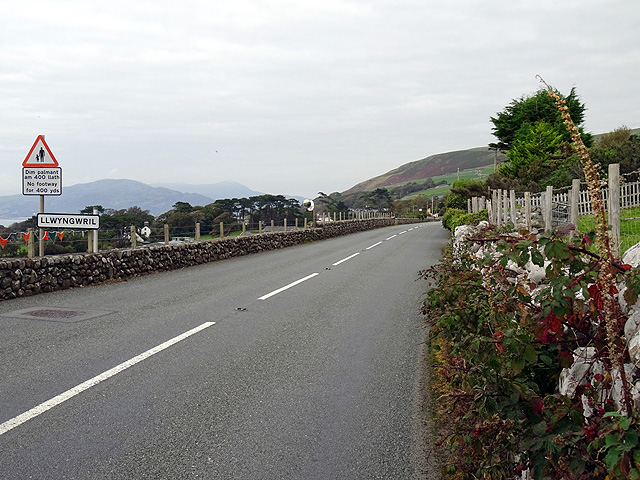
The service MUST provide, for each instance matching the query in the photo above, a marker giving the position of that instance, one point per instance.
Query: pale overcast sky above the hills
(293, 97)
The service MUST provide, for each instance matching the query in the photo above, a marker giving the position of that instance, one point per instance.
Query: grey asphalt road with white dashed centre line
(296, 364)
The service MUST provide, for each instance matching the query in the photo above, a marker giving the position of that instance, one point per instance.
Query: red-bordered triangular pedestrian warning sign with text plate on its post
(42, 176)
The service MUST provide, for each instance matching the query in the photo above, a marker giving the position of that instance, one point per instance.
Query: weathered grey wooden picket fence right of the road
(550, 209)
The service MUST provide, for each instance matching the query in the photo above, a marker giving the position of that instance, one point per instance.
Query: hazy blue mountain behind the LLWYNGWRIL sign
(116, 194)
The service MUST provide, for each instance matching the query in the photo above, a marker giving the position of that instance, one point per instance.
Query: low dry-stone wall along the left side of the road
(22, 277)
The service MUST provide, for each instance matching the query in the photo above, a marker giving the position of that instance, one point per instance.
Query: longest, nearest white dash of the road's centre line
(63, 397)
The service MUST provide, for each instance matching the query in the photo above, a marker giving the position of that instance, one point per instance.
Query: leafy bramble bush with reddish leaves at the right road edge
(499, 349)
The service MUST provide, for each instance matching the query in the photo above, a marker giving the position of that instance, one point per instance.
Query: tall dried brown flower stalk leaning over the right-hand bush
(610, 312)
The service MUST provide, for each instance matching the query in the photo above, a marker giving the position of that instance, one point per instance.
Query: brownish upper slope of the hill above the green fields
(439, 164)
